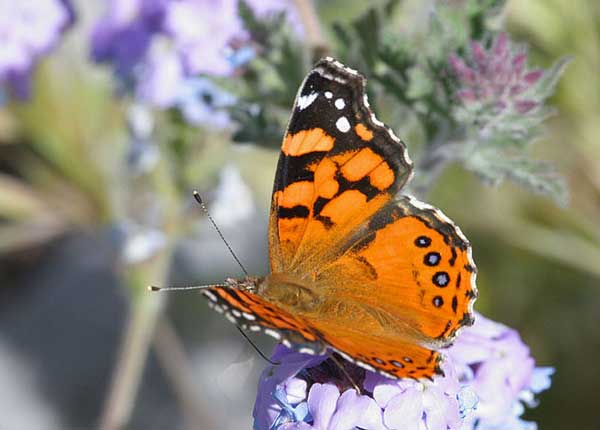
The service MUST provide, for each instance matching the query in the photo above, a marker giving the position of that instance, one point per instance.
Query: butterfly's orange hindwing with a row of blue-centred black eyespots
(408, 284)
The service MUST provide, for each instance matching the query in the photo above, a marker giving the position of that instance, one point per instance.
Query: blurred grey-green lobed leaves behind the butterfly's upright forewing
(409, 73)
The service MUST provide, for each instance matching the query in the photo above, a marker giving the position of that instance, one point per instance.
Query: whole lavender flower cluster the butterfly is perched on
(489, 378)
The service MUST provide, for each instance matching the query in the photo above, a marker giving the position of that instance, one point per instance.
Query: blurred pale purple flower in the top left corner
(29, 30)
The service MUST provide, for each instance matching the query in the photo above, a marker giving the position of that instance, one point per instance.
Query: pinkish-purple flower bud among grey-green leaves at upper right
(496, 79)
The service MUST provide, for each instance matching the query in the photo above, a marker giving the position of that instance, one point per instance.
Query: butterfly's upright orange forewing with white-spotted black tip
(338, 166)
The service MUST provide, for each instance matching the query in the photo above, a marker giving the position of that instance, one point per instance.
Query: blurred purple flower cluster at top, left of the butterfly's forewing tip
(157, 46)
